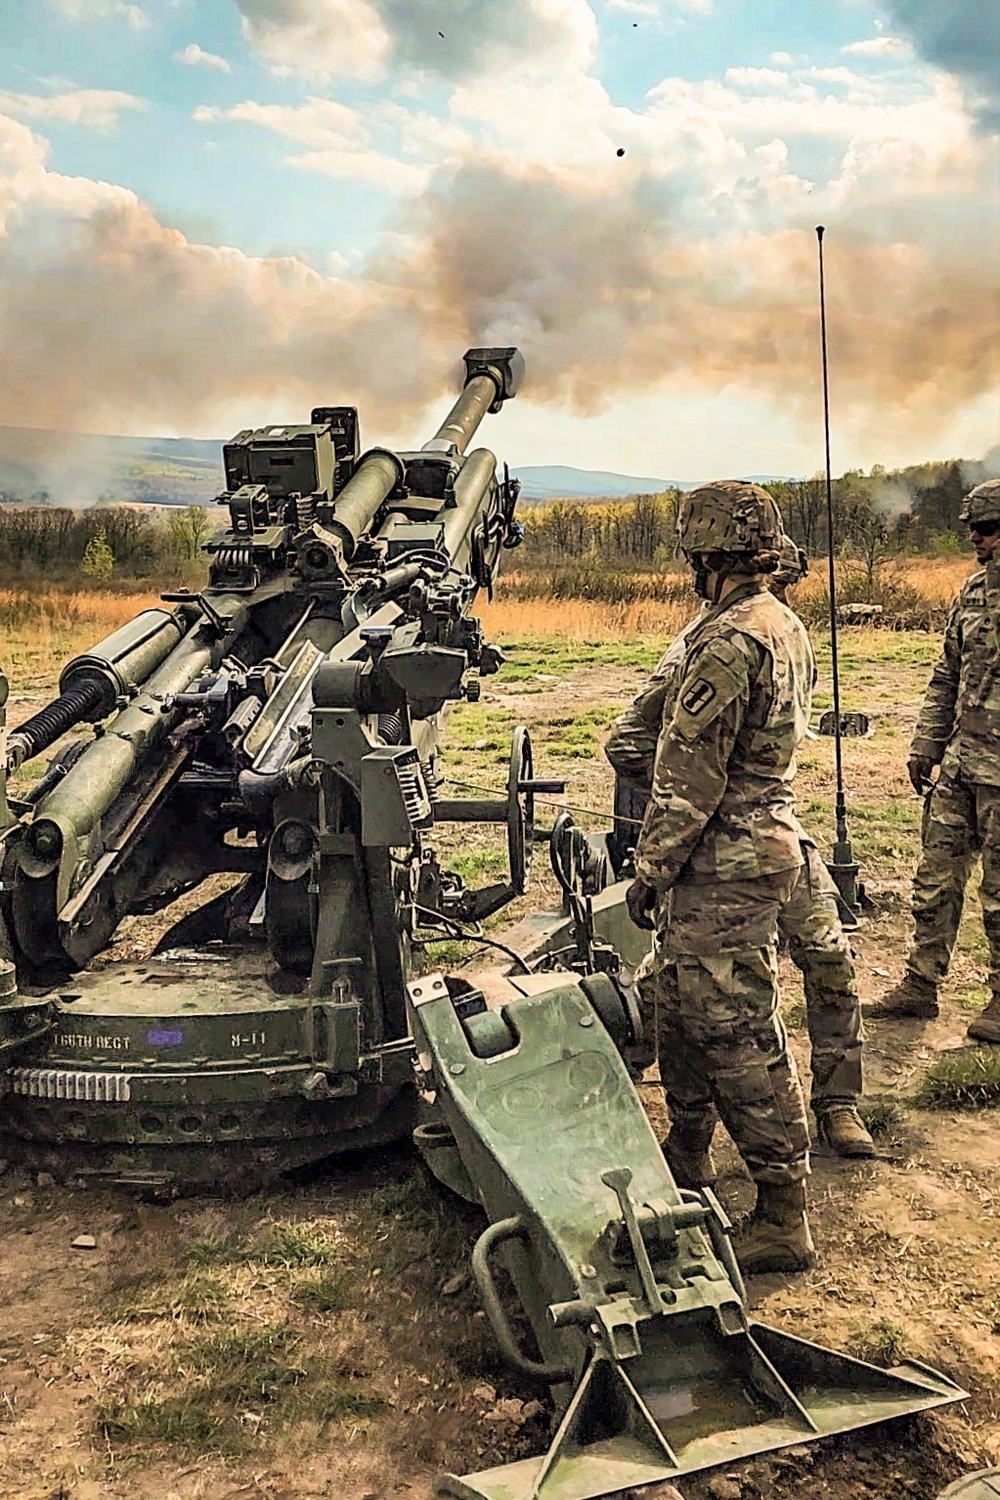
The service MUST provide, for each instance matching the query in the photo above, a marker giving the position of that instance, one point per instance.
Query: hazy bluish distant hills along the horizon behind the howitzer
(73, 469)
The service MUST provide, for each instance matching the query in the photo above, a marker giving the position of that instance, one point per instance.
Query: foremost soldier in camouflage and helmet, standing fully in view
(719, 857)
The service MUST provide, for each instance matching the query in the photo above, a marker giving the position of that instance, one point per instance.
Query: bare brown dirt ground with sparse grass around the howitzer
(323, 1339)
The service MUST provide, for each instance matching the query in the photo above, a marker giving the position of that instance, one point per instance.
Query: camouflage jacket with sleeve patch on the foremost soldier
(714, 734)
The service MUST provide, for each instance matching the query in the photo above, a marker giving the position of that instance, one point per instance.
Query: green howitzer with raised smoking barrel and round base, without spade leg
(281, 730)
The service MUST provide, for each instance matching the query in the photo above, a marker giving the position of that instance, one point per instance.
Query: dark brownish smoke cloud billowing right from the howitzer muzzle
(609, 302)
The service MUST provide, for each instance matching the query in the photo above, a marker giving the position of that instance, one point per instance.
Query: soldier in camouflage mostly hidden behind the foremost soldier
(810, 922)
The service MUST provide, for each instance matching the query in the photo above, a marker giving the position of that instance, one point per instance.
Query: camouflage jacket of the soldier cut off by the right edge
(960, 721)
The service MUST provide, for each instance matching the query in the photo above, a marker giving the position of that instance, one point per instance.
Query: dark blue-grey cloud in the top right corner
(963, 37)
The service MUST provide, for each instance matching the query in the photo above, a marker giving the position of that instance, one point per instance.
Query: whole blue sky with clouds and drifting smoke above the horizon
(218, 212)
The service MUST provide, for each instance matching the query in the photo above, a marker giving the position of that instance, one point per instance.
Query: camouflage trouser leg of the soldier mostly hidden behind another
(819, 947)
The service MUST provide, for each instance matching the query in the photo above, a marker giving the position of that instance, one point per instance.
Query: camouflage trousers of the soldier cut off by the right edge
(962, 821)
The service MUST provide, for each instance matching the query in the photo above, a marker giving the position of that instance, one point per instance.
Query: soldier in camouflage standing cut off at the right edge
(959, 731)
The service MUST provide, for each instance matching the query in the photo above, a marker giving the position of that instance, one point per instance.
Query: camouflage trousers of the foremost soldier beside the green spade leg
(722, 1045)
